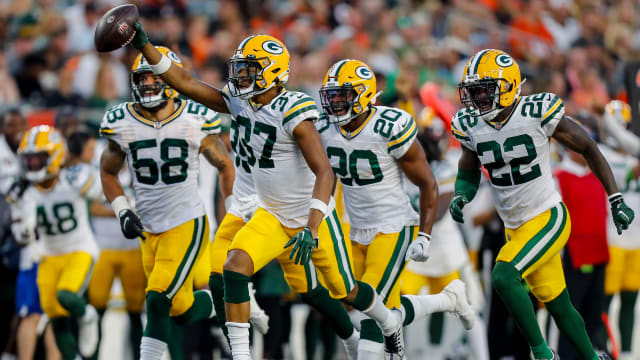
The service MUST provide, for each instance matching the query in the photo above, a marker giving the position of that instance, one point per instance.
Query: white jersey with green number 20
(365, 161)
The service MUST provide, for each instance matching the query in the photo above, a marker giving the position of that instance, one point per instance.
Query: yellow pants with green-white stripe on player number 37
(263, 239)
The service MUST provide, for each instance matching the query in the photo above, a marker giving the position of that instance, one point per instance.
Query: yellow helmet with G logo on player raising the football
(259, 63)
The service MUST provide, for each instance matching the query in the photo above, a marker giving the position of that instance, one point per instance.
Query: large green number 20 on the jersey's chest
(348, 165)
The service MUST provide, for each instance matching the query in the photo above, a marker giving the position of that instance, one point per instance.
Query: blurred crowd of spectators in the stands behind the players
(585, 51)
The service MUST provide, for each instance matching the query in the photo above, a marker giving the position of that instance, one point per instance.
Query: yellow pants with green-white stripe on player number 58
(168, 260)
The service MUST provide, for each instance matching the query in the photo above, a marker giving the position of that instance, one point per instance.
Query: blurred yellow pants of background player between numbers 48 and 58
(127, 266)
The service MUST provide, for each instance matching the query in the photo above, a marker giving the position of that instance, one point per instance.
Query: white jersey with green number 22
(516, 155)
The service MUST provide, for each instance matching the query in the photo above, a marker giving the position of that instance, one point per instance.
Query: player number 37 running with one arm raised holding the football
(278, 143)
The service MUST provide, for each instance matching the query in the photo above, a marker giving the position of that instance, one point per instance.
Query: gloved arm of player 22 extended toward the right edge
(571, 134)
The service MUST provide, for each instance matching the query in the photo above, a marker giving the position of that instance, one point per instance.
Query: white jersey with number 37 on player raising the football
(263, 142)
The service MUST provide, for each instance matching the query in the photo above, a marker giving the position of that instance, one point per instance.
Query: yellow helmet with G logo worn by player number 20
(348, 89)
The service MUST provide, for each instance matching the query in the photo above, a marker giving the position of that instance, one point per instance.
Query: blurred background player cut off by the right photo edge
(623, 272)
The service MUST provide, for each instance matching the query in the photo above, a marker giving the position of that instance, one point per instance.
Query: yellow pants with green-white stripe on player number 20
(380, 263)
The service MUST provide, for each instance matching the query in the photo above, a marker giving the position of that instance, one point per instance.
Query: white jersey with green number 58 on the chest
(163, 160)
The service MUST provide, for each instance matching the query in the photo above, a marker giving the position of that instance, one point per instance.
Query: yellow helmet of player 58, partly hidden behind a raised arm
(153, 95)
